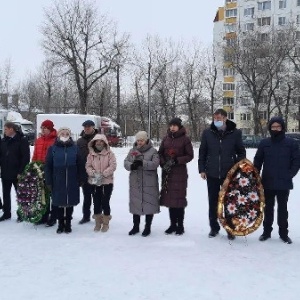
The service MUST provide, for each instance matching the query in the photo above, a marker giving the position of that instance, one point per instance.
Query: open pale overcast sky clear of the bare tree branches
(179, 19)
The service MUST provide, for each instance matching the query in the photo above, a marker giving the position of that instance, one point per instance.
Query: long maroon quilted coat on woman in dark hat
(175, 145)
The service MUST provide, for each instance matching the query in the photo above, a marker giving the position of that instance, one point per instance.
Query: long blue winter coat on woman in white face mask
(64, 171)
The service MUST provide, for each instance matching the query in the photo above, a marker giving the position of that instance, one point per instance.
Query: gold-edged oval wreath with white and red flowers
(241, 200)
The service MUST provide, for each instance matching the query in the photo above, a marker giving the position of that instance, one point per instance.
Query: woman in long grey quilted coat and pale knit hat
(142, 161)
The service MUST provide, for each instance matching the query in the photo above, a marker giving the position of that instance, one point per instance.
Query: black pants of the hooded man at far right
(282, 212)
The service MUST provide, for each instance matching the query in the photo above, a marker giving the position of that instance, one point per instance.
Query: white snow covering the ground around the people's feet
(37, 263)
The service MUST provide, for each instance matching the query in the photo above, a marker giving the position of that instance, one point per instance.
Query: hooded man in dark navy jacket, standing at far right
(280, 158)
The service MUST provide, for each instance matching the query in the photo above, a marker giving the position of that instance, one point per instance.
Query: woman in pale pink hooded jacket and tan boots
(100, 167)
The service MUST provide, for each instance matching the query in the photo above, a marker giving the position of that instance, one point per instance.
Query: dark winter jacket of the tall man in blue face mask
(219, 150)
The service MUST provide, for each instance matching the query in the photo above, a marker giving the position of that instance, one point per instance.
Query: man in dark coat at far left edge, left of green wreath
(14, 156)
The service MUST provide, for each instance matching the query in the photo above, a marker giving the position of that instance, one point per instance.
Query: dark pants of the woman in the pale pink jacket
(101, 197)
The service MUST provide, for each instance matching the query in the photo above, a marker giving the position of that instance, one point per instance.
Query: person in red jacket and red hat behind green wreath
(41, 145)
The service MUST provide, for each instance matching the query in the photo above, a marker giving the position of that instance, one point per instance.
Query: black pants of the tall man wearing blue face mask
(213, 188)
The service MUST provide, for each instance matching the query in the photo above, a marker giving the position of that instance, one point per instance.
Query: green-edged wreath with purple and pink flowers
(32, 195)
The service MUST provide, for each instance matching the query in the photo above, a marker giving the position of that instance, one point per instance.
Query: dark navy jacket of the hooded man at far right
(280, 161)
